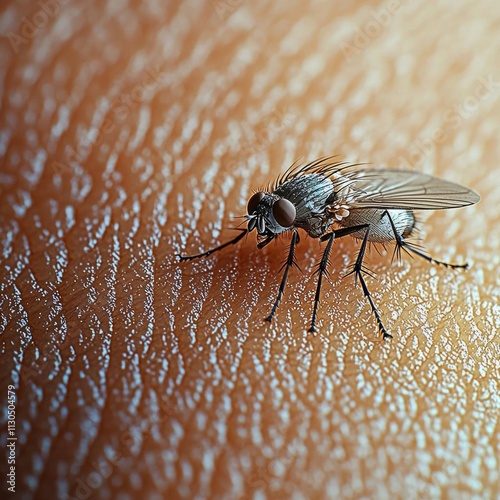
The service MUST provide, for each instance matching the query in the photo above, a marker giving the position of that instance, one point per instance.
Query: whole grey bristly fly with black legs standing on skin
(329, 200)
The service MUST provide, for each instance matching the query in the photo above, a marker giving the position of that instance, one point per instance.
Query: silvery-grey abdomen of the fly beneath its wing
(381, 230)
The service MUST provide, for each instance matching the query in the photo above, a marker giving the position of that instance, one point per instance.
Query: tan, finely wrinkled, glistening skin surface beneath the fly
(136, 374)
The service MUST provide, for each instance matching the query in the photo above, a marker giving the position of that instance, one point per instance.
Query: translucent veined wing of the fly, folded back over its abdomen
(400, 189)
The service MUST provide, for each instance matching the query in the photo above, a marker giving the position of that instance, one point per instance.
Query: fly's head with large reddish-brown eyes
(270, 214)
